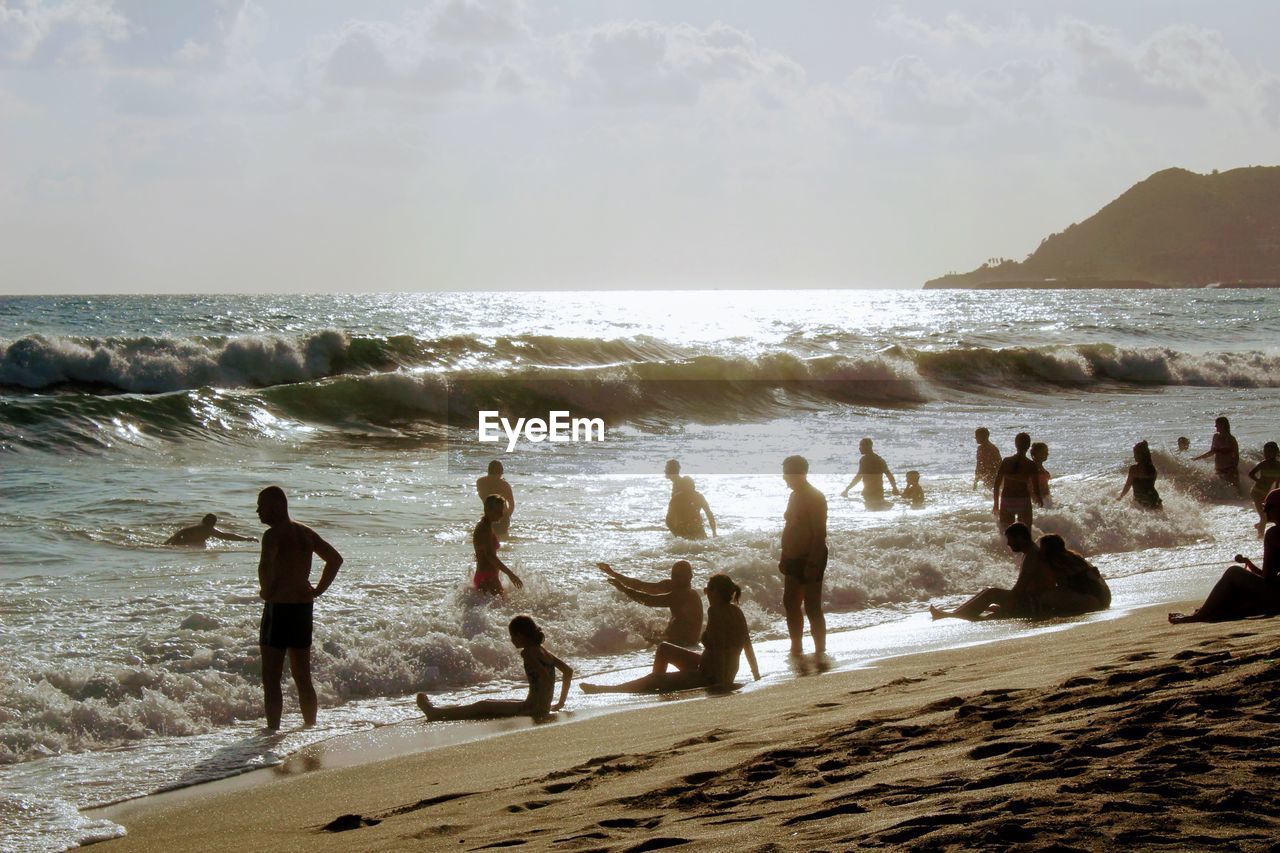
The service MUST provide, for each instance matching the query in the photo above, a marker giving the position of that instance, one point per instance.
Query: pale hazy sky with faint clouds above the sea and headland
(149, 147)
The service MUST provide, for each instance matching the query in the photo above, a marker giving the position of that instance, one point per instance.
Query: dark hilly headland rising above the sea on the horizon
(1177, 229)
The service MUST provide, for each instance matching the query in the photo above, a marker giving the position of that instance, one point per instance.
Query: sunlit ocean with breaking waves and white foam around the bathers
(132, 668)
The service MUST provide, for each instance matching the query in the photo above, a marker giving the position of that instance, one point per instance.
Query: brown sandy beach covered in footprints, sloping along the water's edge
(1118, 733)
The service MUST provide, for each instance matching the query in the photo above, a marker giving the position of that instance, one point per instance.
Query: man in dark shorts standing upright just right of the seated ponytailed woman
(804, 556)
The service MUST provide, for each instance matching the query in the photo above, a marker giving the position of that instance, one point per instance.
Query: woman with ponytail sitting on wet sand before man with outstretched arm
(725, 641)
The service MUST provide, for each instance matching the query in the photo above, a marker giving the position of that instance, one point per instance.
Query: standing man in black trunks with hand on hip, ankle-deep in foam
(285, 580)
